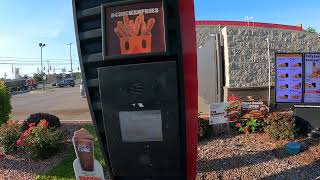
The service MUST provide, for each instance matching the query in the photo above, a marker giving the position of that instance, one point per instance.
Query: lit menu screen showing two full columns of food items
(289, 78)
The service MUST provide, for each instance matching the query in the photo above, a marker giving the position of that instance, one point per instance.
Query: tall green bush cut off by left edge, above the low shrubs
(5, 106)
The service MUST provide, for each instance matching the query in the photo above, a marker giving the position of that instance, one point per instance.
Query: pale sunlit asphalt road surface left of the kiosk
(65, 103)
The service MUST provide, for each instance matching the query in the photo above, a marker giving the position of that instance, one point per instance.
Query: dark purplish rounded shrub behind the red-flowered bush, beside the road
(54, 121)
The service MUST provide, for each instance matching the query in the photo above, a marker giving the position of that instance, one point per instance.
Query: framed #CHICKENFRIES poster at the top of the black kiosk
(134, 29)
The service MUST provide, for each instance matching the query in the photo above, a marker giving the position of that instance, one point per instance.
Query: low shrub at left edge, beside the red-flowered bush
(9, 133)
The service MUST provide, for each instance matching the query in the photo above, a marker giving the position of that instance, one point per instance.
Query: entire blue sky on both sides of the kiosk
(25, 23)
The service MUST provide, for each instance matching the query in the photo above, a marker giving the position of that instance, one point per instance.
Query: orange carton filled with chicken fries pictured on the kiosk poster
(135, 35)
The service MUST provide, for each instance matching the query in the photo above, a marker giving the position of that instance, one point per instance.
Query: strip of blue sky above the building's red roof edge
(290, 12)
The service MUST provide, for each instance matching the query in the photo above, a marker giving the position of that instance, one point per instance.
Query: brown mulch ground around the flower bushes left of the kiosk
(16, 166)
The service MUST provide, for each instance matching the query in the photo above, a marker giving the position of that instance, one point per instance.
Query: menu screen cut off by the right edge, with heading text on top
(312, 78)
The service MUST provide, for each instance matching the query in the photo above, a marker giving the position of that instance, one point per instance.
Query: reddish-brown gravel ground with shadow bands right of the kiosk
(255, 156)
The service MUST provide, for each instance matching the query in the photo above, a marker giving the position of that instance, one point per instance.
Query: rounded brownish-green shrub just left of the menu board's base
(280, 125)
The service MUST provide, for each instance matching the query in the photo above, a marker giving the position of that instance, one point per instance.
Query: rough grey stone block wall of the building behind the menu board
(246, 52)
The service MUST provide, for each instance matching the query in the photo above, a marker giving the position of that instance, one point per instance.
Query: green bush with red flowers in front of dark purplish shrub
(43, 142)
